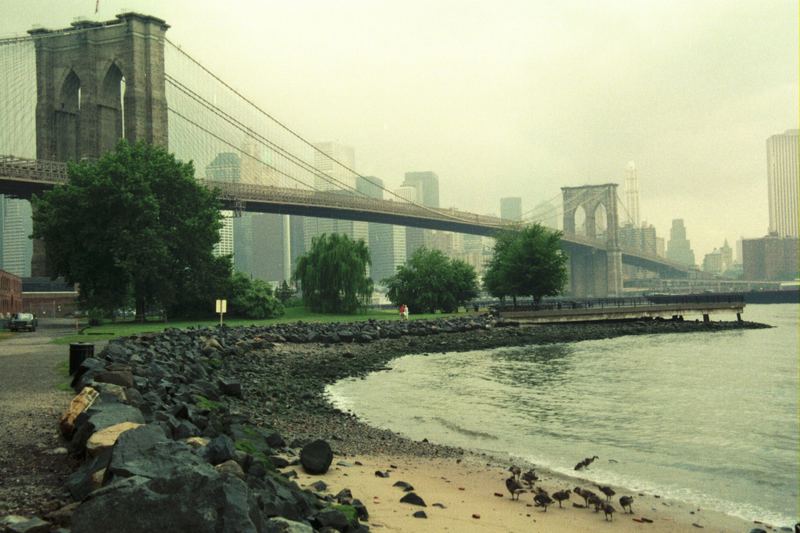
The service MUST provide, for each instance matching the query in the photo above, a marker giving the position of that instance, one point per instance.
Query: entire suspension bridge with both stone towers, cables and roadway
(73, 93)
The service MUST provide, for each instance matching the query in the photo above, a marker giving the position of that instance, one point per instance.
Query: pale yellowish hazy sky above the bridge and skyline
(513, 98)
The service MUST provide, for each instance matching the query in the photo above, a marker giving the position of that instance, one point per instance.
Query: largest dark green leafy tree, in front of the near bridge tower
(133, 225)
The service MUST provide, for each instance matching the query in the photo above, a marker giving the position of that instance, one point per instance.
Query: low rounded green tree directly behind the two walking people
(430, 282)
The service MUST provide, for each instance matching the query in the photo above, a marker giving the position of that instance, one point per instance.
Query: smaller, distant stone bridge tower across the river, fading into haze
(592, 271)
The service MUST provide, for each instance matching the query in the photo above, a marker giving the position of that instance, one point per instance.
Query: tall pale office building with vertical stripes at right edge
(782, 183)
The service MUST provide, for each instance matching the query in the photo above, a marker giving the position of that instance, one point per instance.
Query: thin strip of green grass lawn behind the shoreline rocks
(111, 330)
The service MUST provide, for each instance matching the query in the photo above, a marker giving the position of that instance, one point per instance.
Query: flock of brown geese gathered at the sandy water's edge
(541, 498)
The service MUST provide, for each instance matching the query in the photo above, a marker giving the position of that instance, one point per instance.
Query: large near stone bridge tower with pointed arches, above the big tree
(98, 82)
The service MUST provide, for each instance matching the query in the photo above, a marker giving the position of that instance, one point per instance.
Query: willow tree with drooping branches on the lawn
(333, 274)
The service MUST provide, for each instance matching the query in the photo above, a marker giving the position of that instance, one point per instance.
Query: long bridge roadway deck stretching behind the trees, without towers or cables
(22, 178)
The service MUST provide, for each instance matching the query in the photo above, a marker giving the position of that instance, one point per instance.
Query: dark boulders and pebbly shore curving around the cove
(201, 429)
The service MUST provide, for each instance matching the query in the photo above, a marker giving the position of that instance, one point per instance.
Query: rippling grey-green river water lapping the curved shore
(707, 418)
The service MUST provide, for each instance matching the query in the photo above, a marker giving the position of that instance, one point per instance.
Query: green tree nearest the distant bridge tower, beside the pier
(526, 262)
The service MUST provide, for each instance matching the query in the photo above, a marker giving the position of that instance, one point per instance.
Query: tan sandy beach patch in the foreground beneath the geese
(474, 498)
